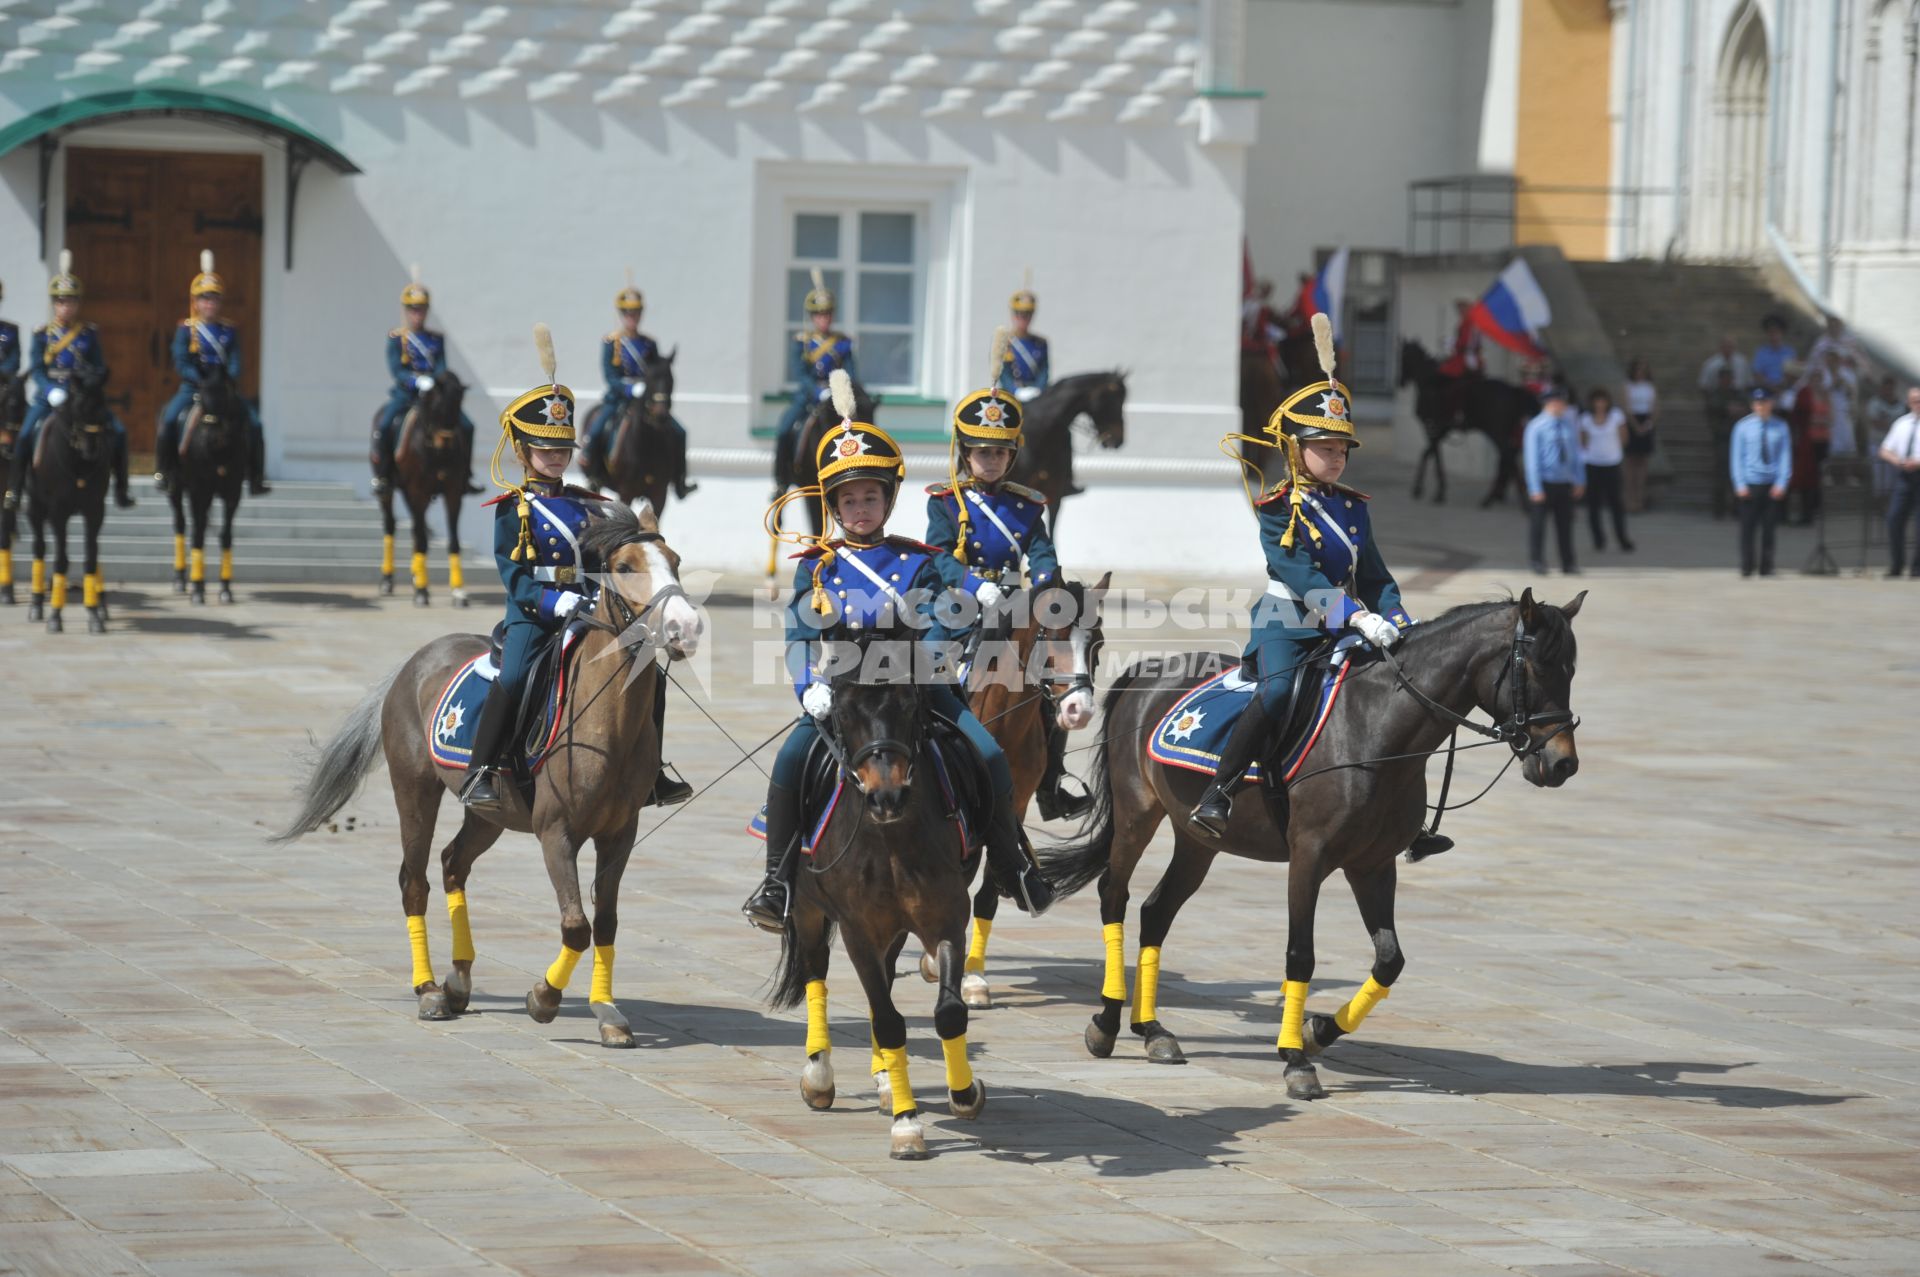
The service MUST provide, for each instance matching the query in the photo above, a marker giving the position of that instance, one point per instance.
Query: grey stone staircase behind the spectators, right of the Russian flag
(1673, 316)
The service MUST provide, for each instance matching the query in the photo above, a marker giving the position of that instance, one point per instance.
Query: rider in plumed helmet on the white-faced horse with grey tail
(537, 544)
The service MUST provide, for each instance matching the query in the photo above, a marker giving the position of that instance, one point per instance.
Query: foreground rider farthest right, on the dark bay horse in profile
(1324, 577)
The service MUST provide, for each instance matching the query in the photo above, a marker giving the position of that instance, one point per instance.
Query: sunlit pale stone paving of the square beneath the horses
(1654, 1023)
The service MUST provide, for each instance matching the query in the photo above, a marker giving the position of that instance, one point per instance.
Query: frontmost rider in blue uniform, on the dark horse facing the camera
(861, 581)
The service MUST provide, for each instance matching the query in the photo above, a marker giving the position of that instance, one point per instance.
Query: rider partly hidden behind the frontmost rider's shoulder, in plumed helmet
(992, 529)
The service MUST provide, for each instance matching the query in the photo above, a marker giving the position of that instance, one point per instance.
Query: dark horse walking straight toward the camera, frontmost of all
(886, 867)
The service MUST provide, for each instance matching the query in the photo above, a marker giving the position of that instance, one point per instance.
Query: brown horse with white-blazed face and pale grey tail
(590, 786)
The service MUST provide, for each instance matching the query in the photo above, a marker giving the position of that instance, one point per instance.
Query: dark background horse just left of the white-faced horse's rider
(431, 460)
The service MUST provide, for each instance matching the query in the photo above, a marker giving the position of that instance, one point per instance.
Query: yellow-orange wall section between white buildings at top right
(1564, 135)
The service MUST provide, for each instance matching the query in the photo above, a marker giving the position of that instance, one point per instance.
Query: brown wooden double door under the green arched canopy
(135, 224)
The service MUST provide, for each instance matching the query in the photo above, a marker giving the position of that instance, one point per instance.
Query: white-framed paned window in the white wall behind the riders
(875, 258)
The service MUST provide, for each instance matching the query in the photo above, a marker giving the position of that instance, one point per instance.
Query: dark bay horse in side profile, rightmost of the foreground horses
(1355, 809)
